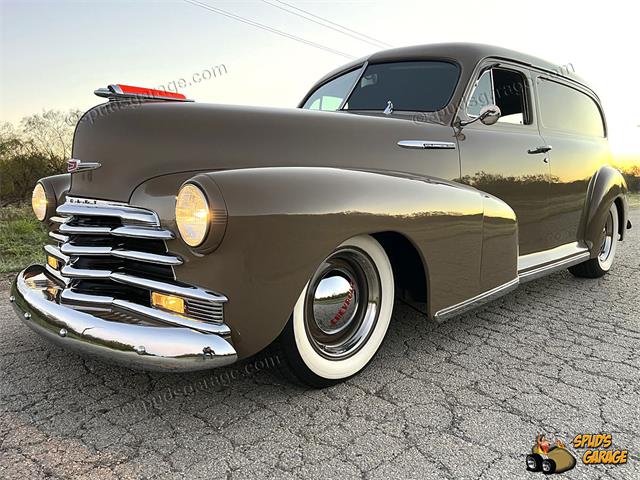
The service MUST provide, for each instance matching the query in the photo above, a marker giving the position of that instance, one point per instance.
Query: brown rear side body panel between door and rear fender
(572, 122)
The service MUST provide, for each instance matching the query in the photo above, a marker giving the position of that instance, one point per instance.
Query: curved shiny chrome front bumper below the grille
(148, 347)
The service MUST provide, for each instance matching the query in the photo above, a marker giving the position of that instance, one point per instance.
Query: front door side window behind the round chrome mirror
(506, 89)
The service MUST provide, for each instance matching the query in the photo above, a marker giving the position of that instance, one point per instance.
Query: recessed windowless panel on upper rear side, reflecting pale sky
(569, 110)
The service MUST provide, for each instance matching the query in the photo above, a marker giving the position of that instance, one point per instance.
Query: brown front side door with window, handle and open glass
(509, 158)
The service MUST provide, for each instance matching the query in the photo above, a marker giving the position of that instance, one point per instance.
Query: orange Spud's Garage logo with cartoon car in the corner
(549, 459)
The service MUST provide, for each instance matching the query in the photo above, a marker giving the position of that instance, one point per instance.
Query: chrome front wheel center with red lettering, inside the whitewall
(342, 303)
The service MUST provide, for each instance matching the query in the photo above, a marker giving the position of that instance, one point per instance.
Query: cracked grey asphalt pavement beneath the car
(464, 399)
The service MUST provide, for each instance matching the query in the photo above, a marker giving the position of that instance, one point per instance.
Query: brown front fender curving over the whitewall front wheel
(283, 222)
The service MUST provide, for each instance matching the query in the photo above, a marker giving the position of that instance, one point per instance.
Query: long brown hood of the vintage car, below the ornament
(133, 142)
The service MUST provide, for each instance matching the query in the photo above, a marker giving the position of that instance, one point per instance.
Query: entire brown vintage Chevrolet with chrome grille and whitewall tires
(188, 236)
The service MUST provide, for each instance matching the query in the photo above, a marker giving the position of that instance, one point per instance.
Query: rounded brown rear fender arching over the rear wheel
(606, 186)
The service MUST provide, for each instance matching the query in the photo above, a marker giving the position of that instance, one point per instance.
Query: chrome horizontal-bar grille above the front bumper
(112, 256)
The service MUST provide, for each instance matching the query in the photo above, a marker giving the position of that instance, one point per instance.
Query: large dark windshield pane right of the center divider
(410, 86)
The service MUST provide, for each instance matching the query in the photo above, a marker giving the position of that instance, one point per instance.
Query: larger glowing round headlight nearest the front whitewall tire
(193, 216)
